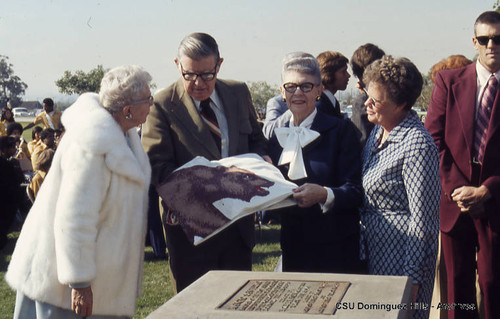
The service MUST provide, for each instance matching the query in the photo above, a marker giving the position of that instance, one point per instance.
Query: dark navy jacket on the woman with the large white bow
(332, 160)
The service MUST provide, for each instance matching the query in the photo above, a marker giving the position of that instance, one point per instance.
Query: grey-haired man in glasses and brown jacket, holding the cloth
(200, 115)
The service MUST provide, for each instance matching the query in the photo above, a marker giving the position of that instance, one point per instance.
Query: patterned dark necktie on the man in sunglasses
(483, 118)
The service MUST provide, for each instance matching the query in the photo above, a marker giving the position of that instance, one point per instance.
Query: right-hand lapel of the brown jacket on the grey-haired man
(230, 105)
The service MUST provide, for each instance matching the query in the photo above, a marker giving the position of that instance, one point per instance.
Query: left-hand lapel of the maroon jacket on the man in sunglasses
(465, 99)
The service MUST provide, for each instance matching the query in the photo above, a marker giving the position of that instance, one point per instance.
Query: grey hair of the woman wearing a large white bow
(301, 62)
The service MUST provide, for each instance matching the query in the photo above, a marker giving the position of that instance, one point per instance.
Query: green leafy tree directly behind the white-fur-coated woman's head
(81, 82)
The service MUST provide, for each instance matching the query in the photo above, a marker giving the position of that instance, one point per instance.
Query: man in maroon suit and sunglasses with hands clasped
(464, 120)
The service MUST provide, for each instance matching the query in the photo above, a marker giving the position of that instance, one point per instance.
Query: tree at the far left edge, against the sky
(11, 86)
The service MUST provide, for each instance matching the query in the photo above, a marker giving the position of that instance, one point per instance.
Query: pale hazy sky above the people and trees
(44, 38)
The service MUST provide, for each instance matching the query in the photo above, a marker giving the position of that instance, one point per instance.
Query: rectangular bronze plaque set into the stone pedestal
(293, 296)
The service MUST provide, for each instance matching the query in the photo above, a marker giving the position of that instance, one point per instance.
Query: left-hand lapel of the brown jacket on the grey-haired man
(182, 107)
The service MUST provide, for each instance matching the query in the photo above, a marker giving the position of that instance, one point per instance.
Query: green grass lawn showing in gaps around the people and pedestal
(157, 288)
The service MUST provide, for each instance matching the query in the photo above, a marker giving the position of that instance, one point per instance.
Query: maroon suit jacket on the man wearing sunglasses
(451, 122)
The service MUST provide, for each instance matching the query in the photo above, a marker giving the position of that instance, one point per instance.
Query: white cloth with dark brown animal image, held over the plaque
(205, 197)
